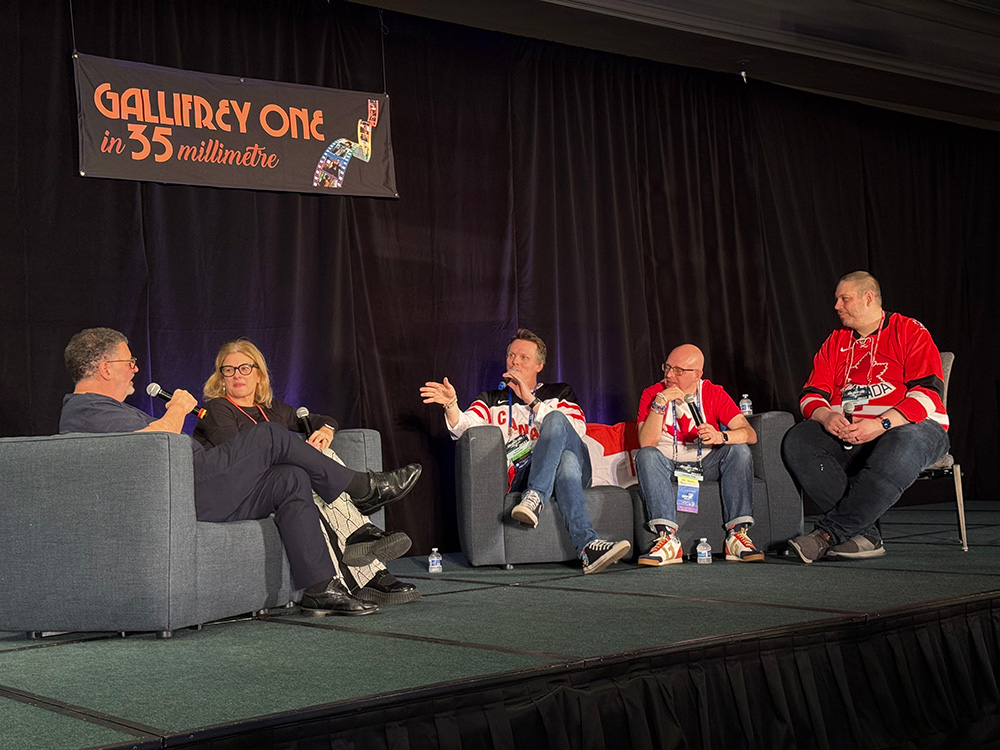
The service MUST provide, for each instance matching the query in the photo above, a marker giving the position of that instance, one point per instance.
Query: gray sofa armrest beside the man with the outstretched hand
(481, 486)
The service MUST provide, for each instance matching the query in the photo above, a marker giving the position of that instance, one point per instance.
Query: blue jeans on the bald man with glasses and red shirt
(730, 465)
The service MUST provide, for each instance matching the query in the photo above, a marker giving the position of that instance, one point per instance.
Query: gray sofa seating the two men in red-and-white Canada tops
(489, 536)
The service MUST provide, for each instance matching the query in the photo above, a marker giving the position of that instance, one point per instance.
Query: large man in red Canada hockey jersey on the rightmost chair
(873, 410)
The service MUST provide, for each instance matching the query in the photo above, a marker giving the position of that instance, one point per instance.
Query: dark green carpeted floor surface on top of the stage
(90, 690)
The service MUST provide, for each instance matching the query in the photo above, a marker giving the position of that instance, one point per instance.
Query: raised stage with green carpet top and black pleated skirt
(899, 651)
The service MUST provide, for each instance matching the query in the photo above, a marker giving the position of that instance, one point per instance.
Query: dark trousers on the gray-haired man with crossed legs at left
(265, 470)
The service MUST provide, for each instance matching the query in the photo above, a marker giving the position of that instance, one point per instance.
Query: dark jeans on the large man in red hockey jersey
(883, 468)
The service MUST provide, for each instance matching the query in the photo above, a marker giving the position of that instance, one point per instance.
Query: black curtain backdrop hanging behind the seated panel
(615, 206)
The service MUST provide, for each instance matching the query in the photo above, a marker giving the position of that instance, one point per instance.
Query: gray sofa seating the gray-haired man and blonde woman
(98, 533)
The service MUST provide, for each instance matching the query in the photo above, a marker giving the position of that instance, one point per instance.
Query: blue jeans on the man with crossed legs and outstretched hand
(560, 462)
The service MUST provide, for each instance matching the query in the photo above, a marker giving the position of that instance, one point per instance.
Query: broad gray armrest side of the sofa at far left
(92, 524)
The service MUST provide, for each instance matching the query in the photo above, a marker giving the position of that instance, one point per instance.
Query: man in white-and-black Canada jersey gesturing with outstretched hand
(545, 422)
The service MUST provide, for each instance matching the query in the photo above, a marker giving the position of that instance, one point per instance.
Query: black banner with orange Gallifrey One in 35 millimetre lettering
(145, 122)
